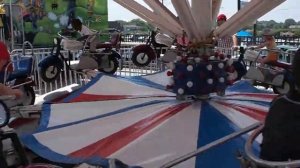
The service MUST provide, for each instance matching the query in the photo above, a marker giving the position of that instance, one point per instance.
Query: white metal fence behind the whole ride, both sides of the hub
(127, 68)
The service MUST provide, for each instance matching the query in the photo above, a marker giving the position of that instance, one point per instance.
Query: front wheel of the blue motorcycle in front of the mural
(49, 73)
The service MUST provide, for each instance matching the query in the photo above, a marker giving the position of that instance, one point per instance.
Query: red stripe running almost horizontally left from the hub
(91, 97)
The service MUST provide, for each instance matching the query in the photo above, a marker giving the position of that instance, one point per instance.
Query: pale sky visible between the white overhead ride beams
(288, 9)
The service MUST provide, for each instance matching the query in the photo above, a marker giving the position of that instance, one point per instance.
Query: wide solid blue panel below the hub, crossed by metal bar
(213, 125)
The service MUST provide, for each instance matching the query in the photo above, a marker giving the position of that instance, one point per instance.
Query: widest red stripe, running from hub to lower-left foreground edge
(109, 145)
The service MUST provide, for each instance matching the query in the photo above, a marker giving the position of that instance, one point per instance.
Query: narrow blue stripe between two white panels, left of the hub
(43, 128)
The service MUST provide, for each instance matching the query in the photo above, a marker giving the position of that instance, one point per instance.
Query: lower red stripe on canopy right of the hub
(252, 112)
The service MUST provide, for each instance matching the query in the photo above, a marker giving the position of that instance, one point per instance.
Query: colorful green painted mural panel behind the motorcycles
(42, 19)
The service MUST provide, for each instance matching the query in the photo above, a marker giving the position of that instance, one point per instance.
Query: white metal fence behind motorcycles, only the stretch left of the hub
(68, 77)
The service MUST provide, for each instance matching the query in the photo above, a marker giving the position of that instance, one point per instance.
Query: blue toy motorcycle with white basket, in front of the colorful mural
(105, 59)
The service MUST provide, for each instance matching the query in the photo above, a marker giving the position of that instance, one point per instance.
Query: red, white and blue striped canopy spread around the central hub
(140, 123)
